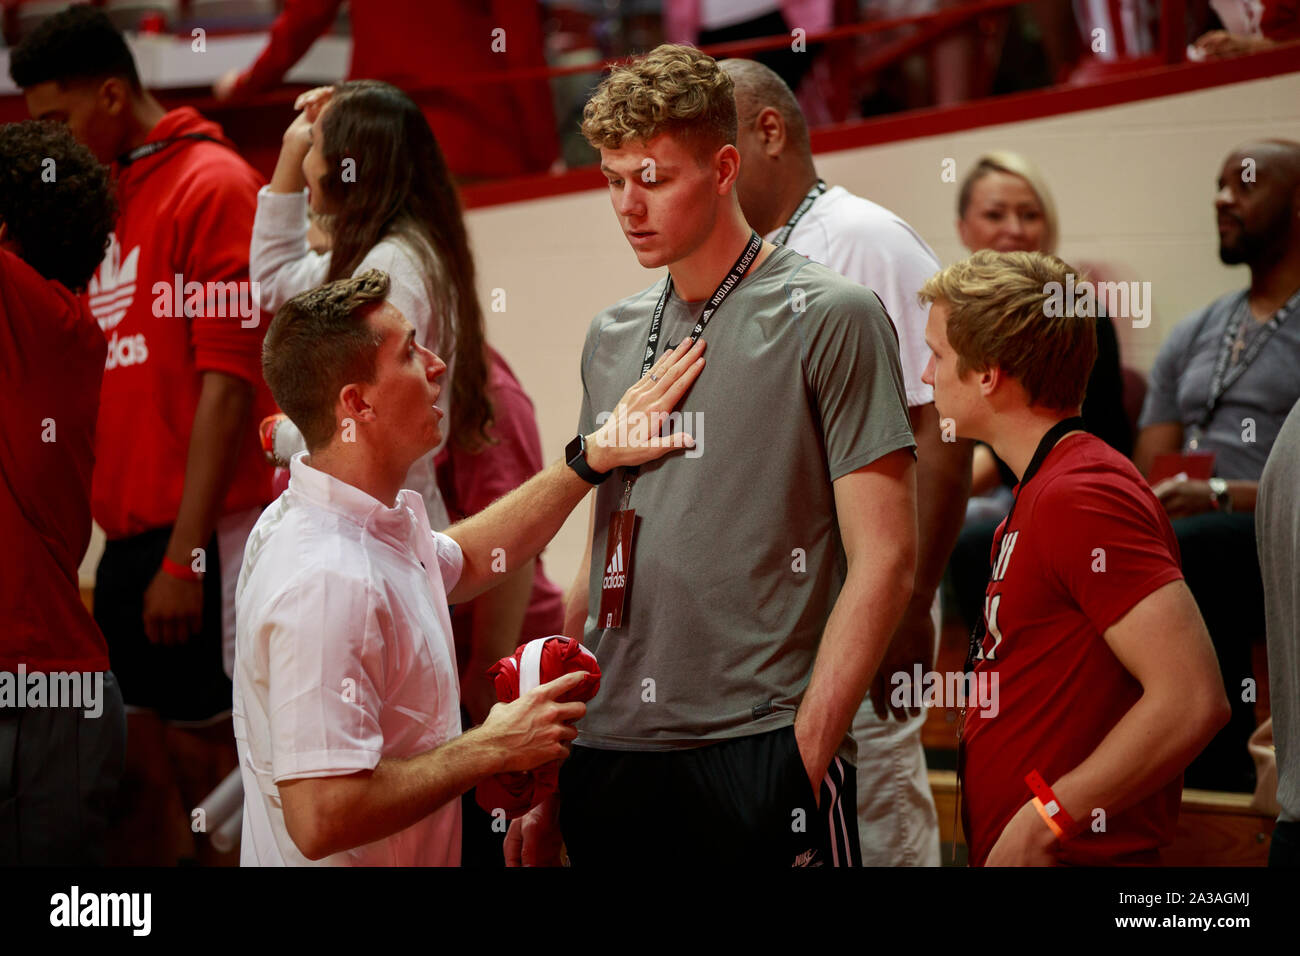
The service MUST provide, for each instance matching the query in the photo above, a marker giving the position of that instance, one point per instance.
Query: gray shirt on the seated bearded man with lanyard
(1181, 384)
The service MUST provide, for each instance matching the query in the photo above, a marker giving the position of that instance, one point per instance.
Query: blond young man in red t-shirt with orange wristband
(1104, 676)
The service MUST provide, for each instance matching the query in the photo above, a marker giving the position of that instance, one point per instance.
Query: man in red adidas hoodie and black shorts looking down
(180, 478)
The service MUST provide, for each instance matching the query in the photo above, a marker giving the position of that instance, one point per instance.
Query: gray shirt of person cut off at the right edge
(1277, 527)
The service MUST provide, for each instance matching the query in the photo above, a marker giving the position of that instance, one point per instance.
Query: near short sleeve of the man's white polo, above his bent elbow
(326, 678)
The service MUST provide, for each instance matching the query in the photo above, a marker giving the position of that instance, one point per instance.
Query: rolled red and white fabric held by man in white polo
(536, 663)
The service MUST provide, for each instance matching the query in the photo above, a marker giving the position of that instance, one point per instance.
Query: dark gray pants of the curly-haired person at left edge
(59, 776)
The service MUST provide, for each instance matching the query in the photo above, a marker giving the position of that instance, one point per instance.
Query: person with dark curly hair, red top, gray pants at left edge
(62, 725)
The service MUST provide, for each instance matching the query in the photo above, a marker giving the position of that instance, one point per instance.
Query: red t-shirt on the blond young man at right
(1087, 542)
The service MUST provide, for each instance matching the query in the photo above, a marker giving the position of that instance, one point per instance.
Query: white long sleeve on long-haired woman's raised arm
(280, 261)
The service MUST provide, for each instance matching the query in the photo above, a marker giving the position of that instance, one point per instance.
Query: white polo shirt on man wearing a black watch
(344, 657)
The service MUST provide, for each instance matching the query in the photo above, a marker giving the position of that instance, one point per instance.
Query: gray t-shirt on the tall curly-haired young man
(738, 557)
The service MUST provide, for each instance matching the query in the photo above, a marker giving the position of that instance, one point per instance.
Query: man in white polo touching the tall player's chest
(346, 704)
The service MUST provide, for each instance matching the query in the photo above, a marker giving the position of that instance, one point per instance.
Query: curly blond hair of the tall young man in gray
(673, 89)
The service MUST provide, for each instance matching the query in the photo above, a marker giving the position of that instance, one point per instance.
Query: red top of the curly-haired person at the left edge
(51, 361)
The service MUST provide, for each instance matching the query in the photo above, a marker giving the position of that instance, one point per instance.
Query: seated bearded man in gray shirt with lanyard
(1224, 382)
